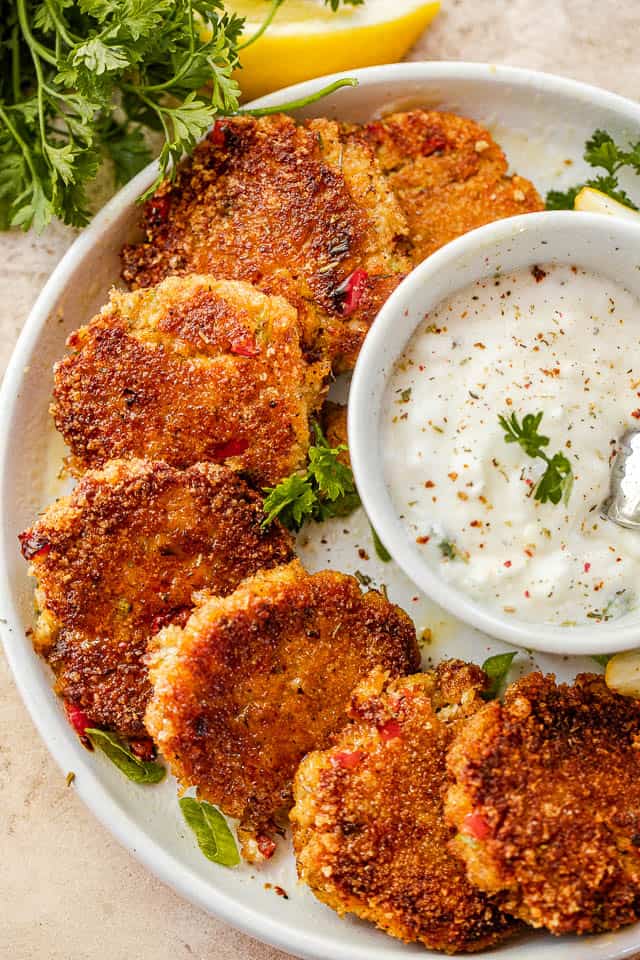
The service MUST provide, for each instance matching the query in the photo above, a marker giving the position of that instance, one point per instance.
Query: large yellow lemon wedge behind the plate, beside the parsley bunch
(307, 39)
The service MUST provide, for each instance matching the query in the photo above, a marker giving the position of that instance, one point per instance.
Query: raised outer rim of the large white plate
(46, 714)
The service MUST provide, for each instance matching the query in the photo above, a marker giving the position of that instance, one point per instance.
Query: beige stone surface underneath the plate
(68, 891)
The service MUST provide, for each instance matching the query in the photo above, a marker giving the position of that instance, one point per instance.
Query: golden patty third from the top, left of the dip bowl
(193, 369)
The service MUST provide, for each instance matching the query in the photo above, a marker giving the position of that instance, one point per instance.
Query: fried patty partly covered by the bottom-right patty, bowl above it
(369, 830)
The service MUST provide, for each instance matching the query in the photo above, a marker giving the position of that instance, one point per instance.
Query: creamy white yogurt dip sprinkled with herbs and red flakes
(555, 340)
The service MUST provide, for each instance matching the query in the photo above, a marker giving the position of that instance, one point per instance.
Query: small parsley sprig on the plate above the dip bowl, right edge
(601, 152)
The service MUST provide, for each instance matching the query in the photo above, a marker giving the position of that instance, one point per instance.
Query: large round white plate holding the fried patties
(542, 122)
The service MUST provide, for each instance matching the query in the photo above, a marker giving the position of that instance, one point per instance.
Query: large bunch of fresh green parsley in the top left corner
(87, 79)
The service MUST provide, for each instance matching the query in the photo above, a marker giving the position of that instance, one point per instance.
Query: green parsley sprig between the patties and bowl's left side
(325, 489)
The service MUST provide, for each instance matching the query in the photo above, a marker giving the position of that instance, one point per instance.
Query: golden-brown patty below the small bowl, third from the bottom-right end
(255, 680)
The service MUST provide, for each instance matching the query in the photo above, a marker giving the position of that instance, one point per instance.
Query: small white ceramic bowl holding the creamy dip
(607, 247)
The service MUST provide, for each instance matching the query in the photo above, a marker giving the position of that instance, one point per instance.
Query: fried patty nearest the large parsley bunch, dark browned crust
(291, 208)
